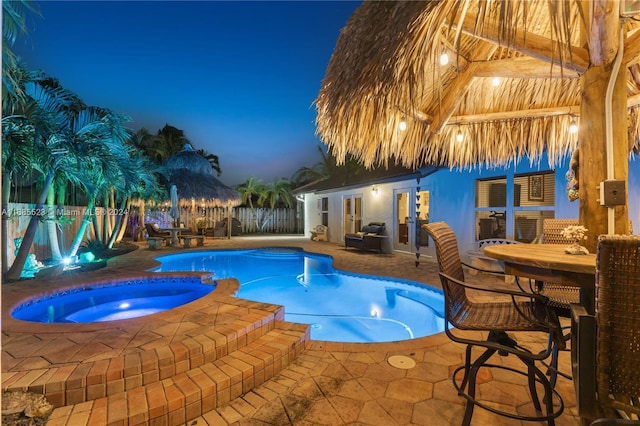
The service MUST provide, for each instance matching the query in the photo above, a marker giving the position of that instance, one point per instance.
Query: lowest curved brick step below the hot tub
(189, 394)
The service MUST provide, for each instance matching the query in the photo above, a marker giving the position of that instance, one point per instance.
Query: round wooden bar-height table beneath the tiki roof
(549, 262)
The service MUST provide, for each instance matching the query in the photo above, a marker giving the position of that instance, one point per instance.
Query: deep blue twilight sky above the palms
(239, 77)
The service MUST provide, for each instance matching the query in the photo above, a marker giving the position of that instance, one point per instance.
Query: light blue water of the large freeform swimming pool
(339, 306)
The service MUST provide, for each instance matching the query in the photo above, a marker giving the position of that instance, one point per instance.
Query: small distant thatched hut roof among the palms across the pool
(194, 179)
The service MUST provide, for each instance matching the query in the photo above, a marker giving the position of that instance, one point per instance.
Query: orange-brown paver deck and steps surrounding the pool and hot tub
(236, 373)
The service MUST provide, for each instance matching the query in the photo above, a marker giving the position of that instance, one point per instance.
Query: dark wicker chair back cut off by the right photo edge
(606, 346)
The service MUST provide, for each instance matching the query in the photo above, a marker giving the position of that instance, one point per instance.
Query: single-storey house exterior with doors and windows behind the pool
(508, 202)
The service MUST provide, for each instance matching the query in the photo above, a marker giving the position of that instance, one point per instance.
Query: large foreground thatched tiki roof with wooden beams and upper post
(552, 60)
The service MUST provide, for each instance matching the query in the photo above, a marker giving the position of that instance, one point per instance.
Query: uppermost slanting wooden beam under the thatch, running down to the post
(529, 44)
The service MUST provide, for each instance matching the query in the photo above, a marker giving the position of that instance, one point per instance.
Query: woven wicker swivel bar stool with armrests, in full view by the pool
(519, 311)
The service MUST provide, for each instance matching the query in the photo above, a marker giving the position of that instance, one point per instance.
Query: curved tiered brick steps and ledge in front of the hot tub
(167, 368)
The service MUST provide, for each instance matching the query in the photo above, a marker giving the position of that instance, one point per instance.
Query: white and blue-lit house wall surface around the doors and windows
(452, 199)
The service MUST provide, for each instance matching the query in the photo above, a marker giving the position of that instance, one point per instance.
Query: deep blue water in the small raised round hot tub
(114, 300)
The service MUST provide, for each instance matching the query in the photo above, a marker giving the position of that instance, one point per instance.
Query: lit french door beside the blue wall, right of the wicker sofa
(411, 210)
